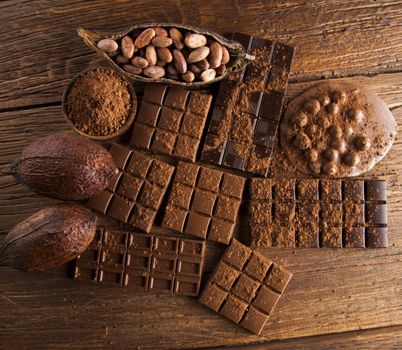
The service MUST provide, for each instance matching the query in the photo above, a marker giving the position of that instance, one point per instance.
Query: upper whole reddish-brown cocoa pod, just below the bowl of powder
(64, 166)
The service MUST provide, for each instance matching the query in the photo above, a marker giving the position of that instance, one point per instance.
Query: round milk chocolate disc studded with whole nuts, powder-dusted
(337, 130)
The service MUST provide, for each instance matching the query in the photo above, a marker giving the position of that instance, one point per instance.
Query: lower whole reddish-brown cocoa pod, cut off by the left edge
(49, 238)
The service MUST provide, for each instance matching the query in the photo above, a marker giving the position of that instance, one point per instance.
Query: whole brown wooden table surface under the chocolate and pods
(337, 299)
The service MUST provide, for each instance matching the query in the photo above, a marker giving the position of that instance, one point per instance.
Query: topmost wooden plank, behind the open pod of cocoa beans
(41, 52)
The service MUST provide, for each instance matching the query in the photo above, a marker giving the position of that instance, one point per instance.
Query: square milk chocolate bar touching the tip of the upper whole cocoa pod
(136, 192)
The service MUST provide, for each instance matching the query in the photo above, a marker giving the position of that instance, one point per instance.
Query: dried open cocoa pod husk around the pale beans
(238, 55)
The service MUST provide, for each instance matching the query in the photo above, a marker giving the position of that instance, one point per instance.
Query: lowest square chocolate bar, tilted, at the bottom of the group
(245, 287)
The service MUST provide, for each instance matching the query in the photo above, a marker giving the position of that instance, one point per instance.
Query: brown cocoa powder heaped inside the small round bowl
(99, 102)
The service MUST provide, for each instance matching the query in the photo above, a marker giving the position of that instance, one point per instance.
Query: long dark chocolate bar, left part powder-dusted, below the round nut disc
(318, 213)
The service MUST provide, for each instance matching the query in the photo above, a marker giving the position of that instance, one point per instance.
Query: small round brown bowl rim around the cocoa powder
(118, 132)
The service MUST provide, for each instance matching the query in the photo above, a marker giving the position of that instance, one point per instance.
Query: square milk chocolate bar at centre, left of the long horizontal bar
(204, 202)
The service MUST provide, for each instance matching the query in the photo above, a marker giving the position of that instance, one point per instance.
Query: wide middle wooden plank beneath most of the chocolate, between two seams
(332, 290)
